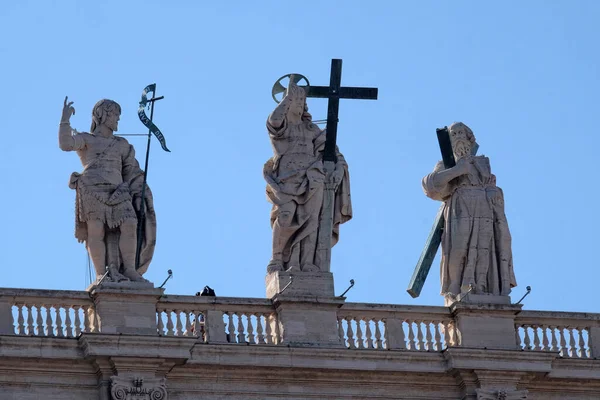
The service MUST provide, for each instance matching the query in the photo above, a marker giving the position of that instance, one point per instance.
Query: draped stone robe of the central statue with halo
(295, 175)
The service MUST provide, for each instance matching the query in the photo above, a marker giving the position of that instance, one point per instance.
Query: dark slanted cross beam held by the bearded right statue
(435, 235)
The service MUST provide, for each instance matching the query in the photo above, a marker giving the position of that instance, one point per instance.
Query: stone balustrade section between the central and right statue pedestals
(395, 327)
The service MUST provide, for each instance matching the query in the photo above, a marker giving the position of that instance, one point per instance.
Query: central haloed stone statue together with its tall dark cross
(307, 178)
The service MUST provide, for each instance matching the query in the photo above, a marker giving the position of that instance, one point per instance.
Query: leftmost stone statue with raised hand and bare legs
(108, 194)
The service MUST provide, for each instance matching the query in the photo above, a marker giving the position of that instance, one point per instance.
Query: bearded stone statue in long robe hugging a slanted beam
(476, 242)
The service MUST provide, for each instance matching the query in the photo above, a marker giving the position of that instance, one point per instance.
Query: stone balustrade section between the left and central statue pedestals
(232, 320)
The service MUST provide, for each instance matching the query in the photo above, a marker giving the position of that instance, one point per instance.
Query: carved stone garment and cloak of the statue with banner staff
(105, 189)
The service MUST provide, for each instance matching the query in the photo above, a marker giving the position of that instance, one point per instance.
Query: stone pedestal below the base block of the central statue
(307, 321)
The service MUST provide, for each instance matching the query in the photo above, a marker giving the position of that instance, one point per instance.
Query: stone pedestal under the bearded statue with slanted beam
(486, 325)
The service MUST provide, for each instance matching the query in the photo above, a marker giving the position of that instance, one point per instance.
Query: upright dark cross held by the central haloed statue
(334, 92)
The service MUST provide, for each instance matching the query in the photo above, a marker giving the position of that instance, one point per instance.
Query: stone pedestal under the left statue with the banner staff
(128, 308)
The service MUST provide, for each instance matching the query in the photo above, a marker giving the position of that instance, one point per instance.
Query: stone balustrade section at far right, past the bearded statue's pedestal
(572, 335)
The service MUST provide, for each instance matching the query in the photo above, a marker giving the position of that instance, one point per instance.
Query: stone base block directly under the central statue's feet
(318, 284)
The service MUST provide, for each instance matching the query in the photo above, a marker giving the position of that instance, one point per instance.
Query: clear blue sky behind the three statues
(522, 75)
